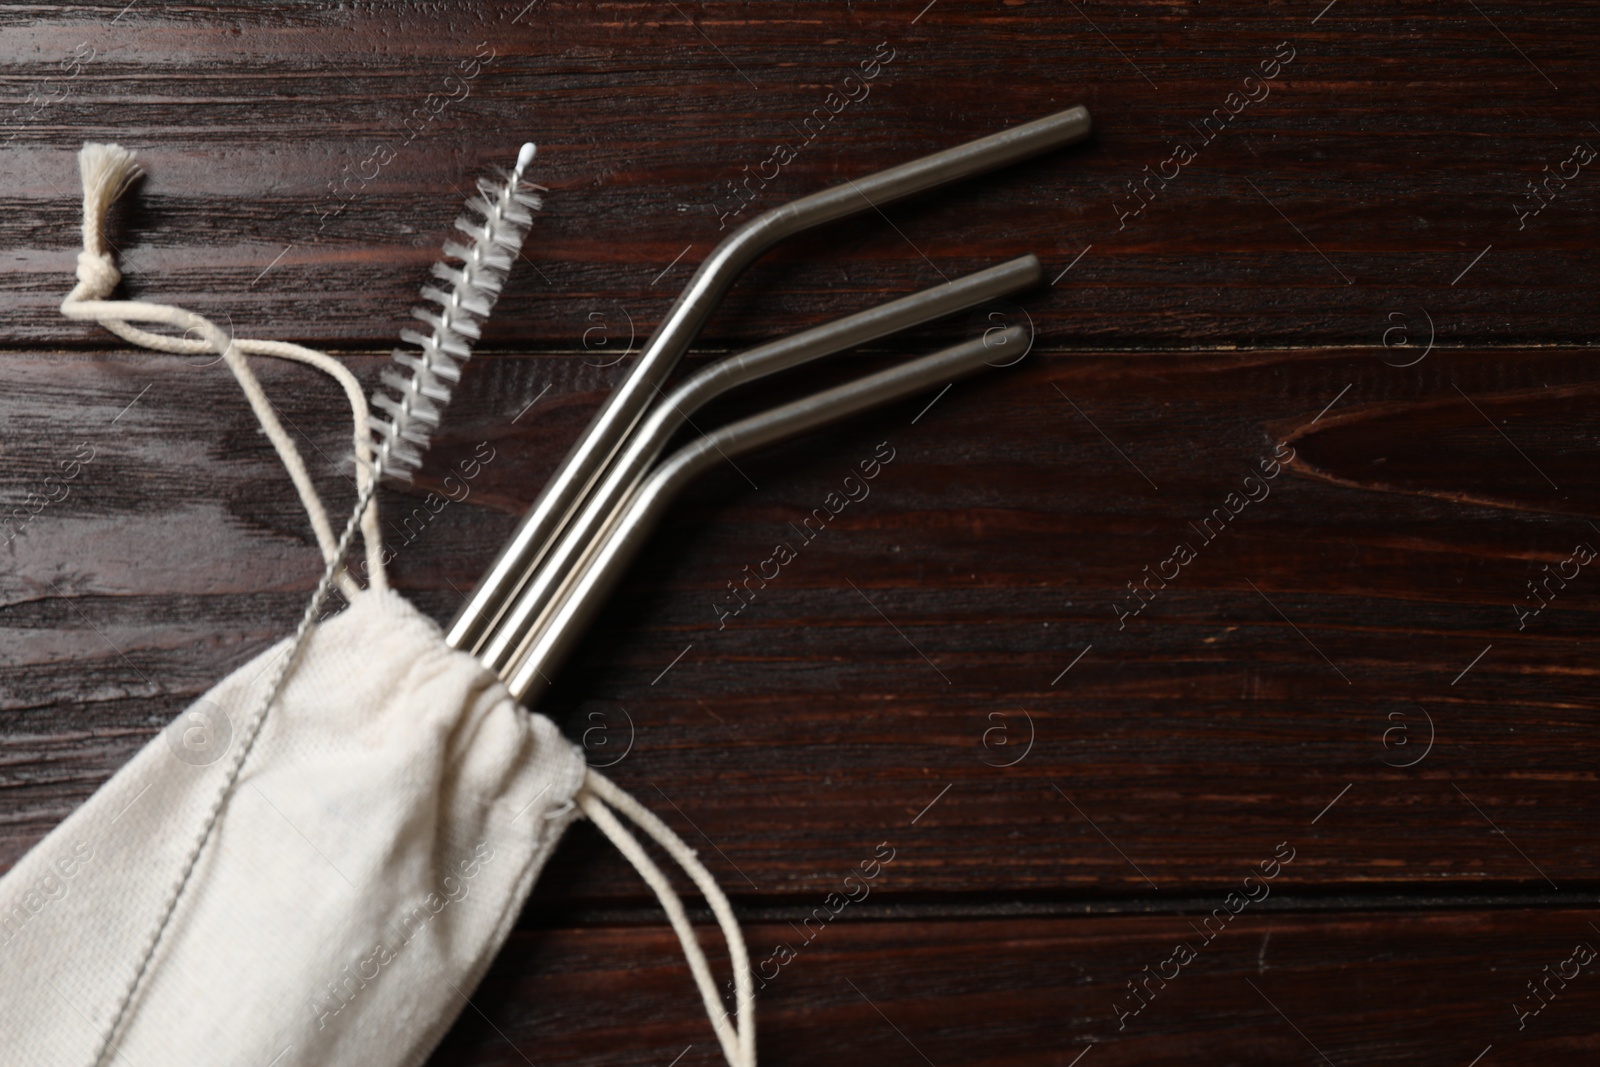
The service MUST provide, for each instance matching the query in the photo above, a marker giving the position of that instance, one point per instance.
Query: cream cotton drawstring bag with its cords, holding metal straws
(316, 863)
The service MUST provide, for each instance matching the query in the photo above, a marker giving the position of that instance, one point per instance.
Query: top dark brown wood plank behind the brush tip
(306, 161)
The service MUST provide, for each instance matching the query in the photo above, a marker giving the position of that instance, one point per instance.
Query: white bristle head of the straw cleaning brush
(420, 383)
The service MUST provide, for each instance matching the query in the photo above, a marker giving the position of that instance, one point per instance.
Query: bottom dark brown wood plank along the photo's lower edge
(1273, 986)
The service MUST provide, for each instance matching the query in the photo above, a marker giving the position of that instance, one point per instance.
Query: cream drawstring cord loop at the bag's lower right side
(594, 796)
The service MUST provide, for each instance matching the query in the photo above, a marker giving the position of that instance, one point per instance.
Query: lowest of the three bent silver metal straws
(561, 628)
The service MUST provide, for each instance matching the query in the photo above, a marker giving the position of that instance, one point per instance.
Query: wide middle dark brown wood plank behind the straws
(881, 684)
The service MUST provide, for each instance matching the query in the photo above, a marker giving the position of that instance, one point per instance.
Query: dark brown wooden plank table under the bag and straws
(1321, 311)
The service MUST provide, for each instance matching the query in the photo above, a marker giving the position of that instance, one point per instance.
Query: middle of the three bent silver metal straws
(668, 417)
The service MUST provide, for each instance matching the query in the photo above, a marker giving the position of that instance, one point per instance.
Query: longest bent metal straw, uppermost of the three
(606, 434)
